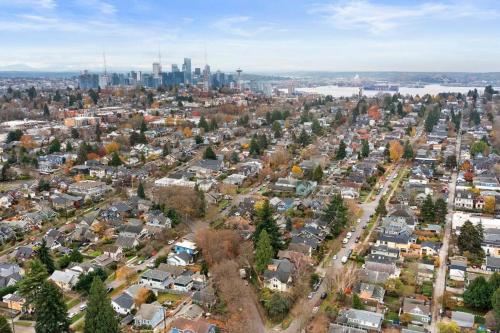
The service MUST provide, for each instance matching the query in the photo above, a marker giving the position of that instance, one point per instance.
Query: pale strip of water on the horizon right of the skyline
(432, 89)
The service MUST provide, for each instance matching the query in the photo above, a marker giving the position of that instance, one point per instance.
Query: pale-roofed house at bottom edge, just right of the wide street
(360, 319)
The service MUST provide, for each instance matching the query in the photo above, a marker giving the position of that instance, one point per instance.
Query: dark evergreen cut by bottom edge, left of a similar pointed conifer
(50, 310)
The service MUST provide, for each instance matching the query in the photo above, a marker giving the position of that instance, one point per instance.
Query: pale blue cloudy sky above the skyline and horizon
(254, 35)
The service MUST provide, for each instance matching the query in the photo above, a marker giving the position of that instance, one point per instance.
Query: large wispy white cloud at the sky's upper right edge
(377, 18)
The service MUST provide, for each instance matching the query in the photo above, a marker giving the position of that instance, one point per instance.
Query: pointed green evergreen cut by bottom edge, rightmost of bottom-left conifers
(100, 316)
